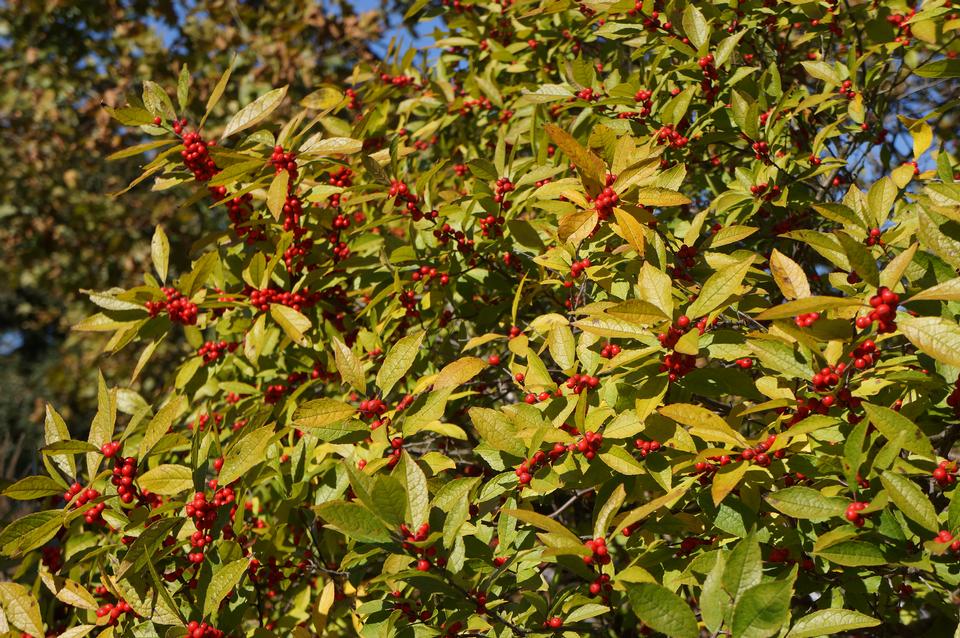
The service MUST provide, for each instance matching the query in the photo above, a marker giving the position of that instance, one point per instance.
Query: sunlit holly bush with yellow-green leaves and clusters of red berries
(614, 318)
